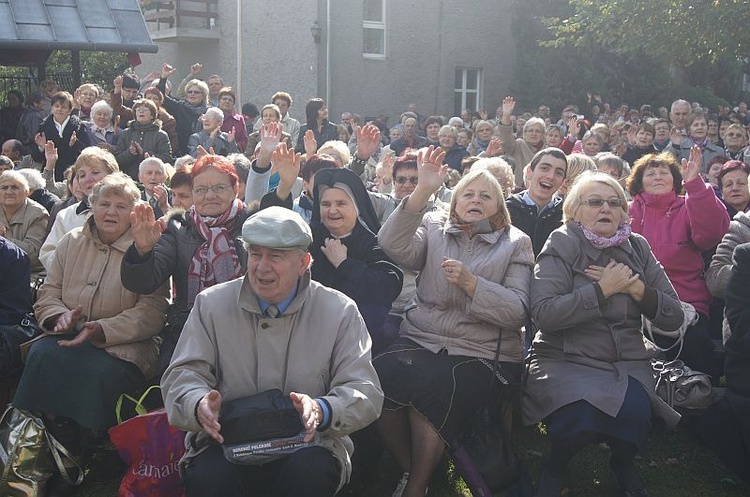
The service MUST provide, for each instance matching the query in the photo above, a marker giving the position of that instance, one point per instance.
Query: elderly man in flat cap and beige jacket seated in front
(273, 328)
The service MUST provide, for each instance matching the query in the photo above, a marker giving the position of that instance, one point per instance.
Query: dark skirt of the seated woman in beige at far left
(81, 383)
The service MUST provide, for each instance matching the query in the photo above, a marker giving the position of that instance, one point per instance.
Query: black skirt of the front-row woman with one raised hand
(447, 390)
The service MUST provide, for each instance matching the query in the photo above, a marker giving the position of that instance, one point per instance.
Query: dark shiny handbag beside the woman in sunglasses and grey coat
(679, 386)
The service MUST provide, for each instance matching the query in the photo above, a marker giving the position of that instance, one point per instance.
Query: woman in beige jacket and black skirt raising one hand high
(472, 292)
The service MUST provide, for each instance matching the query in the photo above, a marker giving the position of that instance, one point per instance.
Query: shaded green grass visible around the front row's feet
(673, 464)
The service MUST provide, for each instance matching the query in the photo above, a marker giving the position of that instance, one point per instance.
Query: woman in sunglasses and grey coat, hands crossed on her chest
(590, 375)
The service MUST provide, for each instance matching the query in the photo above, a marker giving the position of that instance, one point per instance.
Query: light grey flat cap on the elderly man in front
(277, 228)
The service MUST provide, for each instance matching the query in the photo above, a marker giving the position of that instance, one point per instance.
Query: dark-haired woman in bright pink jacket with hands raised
(679, 228)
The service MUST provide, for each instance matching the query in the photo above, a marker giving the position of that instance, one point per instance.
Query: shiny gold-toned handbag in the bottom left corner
(29, 455)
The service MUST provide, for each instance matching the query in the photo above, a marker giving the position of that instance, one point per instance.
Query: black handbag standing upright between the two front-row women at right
(484, 453)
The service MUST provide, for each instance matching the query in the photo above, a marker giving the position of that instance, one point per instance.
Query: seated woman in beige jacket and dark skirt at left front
(101, 337)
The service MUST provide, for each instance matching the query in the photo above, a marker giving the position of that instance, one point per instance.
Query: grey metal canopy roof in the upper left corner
(39, 26)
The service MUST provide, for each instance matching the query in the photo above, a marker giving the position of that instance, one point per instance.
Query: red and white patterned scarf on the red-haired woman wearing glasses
(216, 261)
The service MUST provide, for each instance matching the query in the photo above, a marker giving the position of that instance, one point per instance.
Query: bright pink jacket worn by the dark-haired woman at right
(678, 230)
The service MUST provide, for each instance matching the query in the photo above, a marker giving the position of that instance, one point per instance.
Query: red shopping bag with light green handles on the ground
(151, 448)
